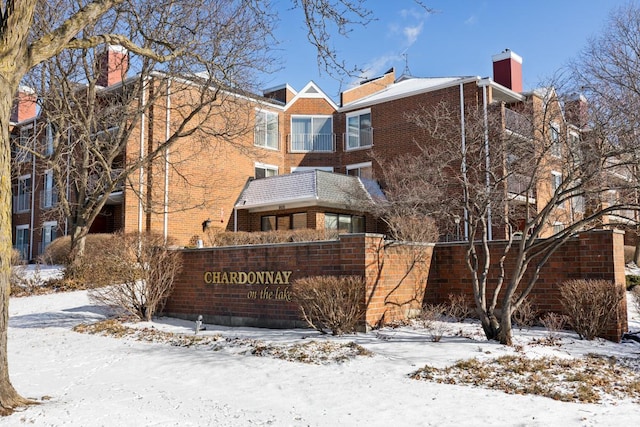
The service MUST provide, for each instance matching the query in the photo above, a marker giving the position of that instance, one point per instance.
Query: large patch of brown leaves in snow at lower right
(591, 379)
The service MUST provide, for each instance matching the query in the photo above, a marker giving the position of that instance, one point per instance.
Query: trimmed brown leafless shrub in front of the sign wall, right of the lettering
(331, 302)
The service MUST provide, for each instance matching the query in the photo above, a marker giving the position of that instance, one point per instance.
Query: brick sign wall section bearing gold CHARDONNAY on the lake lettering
(394, 290)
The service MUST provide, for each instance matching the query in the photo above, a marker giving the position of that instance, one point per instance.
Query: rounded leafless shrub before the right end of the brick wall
(589, 305)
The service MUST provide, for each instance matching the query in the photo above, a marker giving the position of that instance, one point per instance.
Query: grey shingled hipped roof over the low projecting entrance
(309, 188)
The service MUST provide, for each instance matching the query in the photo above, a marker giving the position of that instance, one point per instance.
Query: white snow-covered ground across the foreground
(82, 379)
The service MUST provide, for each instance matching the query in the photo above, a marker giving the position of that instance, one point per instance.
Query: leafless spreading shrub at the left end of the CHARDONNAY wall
(145, 269)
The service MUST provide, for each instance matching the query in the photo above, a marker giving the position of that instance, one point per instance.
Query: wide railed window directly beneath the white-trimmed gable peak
(313, 133)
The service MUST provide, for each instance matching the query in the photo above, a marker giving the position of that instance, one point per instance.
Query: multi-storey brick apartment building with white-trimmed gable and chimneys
(288, 132)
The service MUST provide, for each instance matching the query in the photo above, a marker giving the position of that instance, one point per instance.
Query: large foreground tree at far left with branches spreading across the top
(35, 31)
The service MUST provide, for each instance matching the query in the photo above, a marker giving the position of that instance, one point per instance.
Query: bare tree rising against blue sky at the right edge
(607, 71)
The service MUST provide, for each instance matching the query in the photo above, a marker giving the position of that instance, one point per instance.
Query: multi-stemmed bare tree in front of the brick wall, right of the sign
(521, 174)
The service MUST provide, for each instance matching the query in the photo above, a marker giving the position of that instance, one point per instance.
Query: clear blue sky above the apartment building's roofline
(459, 39)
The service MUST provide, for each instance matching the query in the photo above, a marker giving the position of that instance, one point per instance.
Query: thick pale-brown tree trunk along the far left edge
(9, 397)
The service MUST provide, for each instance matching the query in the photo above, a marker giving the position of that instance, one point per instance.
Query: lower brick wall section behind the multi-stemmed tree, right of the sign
(595, 255)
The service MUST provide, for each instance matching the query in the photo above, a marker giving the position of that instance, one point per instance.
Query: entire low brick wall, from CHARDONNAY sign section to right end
(395, 275)
